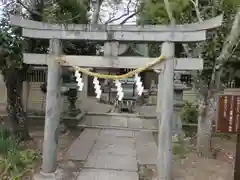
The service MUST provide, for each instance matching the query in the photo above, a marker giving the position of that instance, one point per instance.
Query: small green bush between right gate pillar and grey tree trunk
(189, 113)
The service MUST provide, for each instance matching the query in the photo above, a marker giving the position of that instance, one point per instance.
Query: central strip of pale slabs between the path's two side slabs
(113, 152)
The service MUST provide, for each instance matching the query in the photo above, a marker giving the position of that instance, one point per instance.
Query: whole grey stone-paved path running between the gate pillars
(112, 154)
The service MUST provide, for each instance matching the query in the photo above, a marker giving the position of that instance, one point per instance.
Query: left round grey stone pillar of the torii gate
(52, 112)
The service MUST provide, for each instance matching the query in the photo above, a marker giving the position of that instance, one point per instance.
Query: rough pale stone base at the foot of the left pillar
(59, 174)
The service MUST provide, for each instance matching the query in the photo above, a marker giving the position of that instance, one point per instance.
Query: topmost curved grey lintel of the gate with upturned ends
(205, 25)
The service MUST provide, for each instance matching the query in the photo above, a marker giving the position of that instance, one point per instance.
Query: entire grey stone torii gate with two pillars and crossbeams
(108, 34)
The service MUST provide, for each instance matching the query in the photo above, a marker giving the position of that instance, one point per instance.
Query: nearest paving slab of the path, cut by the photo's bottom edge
(100, 174)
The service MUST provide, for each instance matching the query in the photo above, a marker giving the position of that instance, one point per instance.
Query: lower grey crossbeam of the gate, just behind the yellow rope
(119, 62)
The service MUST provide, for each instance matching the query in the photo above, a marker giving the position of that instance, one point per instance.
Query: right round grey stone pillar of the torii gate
(164, 159)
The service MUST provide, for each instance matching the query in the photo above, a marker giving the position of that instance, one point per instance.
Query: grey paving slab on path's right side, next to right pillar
(146, 148)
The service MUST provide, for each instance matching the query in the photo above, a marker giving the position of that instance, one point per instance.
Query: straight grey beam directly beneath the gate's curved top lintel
(174, 36)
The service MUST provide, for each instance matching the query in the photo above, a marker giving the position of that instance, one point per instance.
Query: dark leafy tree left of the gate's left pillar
(13, 71)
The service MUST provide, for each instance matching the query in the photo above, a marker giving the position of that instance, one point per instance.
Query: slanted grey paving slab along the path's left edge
(82, 146)
